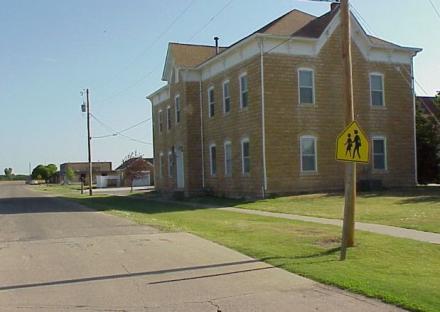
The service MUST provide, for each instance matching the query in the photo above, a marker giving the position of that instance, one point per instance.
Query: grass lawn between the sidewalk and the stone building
(417, 208)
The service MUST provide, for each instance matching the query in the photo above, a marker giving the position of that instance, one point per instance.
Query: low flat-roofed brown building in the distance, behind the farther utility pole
(81, 171)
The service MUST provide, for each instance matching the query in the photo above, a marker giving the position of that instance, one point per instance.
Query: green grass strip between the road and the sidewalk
(398, 271)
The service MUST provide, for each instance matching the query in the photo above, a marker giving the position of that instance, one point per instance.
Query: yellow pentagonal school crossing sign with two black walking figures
(352, 145)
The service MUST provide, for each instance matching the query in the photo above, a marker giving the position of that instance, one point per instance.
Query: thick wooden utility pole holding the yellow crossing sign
(350, 168)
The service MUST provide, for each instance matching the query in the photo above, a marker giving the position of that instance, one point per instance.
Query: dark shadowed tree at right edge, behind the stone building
(428, 147)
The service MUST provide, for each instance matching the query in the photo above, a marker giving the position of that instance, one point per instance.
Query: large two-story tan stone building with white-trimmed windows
(262, 115)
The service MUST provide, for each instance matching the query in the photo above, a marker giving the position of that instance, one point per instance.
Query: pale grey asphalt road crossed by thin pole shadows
(60, 256)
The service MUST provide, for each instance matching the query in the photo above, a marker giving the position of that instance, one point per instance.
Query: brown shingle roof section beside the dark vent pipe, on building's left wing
(191, 55)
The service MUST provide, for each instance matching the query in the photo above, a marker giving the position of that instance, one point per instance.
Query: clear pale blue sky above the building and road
(50, 50)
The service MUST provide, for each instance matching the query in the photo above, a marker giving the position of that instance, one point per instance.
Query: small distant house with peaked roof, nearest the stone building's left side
(137, 171)
